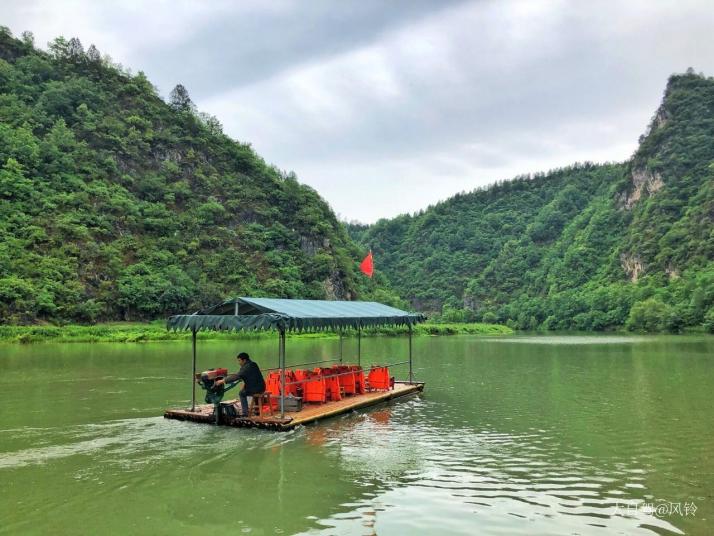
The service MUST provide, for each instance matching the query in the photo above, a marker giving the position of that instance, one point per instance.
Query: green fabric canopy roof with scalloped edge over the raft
(287, 315)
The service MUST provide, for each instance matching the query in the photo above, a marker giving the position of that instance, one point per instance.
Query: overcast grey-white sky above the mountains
(386, 107)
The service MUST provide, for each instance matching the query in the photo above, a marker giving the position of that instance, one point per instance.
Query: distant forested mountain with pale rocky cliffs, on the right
(586, 247)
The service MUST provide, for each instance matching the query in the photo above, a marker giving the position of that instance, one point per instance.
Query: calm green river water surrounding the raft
(513, 435)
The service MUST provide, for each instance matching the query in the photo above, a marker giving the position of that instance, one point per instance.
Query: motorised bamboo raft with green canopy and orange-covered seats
(283, 316)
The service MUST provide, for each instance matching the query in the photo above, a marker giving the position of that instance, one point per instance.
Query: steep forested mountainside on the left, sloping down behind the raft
(115, 204)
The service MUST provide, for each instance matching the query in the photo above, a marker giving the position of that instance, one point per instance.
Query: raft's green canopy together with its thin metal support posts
(283, 315)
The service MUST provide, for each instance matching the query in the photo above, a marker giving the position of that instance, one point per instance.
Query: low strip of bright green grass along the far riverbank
(156, 331)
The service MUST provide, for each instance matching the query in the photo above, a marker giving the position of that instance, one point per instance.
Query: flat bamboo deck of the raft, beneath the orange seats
(309, 413)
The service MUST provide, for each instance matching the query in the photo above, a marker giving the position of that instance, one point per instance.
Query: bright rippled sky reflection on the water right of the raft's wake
(427, 479)
